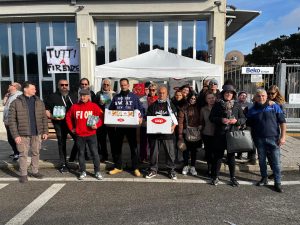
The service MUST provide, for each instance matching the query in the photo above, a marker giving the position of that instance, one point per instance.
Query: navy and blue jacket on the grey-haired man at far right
(264, 120)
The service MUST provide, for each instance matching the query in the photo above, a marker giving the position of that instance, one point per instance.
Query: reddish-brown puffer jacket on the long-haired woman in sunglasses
(193, 114)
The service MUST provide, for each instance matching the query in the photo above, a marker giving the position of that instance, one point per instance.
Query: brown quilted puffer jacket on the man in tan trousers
(18, 119)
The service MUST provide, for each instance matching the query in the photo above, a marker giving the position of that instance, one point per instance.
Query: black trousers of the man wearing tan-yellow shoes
(130, 133)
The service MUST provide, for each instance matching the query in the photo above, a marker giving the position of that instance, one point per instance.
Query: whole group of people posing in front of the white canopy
(213, 111)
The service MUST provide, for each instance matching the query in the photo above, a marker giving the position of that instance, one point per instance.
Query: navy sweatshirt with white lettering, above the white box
(128, 102)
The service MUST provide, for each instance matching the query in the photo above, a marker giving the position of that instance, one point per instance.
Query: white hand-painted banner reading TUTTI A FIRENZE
(62, 59)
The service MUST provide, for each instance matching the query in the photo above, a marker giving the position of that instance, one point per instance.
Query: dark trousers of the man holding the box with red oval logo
(168, 146)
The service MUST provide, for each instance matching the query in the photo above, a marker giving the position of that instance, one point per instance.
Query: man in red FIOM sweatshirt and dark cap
(77, 118)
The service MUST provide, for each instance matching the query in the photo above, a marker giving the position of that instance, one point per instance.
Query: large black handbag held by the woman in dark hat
(239, 141)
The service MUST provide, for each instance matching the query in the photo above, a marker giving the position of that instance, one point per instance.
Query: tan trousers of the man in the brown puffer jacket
(33, 144)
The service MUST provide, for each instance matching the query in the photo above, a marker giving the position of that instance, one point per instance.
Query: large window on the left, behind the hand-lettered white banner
(23, 54)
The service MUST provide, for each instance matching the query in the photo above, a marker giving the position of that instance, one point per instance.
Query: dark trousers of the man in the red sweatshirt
(91, 141)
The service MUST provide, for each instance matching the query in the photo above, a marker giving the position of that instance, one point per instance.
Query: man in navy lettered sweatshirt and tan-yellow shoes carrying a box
(126, 101)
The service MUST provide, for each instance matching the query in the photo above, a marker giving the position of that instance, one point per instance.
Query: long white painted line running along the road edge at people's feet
(143, 180)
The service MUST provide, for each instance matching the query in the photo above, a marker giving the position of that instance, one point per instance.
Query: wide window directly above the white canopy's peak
(187, 37)
